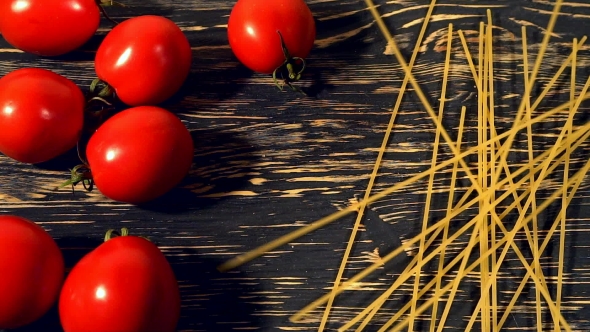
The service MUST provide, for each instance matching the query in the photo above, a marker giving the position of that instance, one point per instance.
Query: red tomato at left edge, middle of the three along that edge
(41, 114)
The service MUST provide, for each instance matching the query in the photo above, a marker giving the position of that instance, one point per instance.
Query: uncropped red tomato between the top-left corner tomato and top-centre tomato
(146, 59)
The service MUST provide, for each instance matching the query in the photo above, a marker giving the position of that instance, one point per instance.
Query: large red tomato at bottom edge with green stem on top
(125, 284)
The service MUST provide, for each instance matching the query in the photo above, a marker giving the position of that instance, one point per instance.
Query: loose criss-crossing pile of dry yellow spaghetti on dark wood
(490, 235)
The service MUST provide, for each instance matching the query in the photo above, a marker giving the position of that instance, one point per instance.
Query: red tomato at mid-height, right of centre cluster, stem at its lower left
(139, 154)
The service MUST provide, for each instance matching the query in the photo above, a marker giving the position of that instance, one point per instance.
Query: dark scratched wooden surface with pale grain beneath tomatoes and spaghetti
(267, 163)
